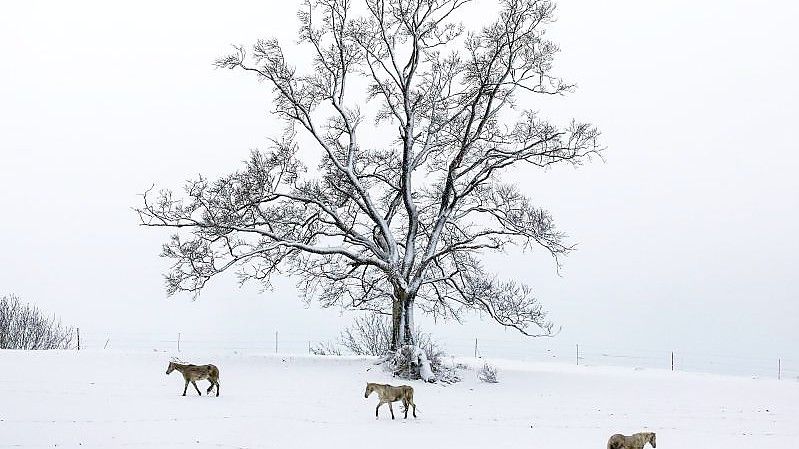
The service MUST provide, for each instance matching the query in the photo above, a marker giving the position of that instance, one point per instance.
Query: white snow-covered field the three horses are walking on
(112, 399)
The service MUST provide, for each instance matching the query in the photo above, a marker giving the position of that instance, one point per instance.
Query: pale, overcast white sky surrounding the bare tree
(687, 234)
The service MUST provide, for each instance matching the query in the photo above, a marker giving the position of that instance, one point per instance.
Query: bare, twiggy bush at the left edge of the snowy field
(23, 326)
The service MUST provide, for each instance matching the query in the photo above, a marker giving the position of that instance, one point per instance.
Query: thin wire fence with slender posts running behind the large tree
(289, 342)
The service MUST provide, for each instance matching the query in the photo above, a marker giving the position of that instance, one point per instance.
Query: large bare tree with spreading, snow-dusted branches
(388, 226)
